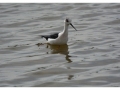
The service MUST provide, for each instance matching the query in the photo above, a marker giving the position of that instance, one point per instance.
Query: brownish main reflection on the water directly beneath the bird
(62, 49)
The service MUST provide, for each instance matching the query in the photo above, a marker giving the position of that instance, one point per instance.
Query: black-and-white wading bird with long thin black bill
(59, 38)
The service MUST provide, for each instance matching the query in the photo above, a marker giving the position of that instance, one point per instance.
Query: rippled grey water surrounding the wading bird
(91, 57)
